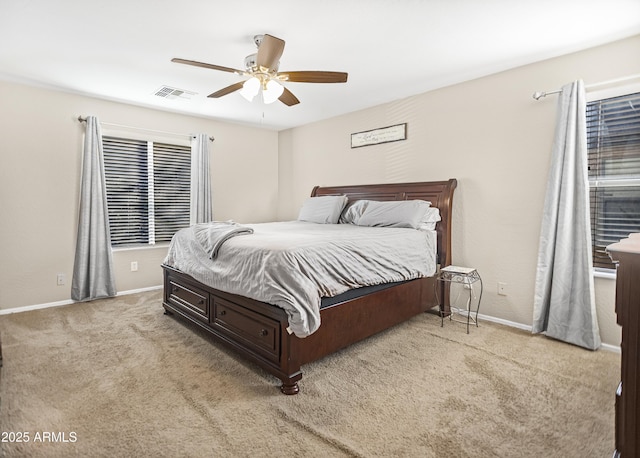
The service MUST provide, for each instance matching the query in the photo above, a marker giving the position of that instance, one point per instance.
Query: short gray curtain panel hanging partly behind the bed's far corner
(201, 206)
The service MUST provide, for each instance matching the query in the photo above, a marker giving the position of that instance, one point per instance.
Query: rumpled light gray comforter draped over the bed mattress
(293, 264)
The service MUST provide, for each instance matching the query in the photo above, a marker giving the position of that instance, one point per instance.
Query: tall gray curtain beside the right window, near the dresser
(564, 302)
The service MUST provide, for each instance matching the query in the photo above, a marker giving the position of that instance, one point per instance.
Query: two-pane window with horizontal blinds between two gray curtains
(148, 189)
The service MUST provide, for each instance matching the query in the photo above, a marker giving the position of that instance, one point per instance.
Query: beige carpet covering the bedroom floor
(118, 378)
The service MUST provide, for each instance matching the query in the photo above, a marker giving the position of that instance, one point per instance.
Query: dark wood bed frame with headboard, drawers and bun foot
(258, 331)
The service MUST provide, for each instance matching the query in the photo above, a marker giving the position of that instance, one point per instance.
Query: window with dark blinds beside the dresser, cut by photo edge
(613, 141)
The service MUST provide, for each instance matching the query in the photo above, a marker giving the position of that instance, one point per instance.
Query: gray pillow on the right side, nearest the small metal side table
(402, 213)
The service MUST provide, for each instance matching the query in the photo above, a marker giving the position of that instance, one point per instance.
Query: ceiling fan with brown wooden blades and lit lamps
(262, 70)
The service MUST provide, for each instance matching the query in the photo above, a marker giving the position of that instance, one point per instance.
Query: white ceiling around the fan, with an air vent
(121, 49)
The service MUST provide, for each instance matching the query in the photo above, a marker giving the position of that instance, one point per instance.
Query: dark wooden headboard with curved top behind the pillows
(439, 193)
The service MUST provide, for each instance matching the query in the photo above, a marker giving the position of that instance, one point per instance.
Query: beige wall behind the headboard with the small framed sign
(494, 138)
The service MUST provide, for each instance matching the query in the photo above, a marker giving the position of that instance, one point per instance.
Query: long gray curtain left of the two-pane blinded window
(93, 268)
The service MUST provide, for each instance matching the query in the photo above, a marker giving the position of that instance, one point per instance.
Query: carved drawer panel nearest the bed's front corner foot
(258, 332)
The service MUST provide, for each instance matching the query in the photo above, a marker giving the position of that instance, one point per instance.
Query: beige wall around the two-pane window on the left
(41, 146)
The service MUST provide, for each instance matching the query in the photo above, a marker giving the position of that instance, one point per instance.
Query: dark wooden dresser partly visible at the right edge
(626, 254)
